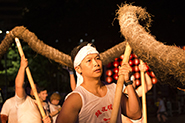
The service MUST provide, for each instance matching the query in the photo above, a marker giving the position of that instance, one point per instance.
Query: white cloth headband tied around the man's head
(82, 53)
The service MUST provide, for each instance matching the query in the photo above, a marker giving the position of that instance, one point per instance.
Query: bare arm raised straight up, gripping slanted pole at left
(19, 81)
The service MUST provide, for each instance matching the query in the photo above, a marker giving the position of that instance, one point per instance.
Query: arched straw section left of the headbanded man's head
(36, 44)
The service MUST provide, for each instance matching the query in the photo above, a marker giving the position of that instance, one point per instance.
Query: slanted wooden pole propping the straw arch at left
(31, 80)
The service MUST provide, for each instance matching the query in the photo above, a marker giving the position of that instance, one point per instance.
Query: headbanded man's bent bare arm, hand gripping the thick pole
(131, 105)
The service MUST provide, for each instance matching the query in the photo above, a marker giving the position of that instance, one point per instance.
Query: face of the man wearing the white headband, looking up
(91, 66)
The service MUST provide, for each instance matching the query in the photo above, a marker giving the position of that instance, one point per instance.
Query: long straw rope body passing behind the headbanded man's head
(38, 46)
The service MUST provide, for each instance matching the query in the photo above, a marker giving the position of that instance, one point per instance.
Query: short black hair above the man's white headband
(77, 49)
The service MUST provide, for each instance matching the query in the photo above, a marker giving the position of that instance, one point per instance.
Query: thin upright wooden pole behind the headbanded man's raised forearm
(143, 94)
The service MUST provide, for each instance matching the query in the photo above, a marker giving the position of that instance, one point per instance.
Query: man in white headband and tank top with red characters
(92, 100)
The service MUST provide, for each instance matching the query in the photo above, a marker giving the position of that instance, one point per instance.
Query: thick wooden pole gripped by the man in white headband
(119, 87)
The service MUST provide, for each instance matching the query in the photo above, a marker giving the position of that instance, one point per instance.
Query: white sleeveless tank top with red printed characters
(96, 109)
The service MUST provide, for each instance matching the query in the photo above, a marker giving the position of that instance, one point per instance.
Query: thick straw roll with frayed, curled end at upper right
(167, 62)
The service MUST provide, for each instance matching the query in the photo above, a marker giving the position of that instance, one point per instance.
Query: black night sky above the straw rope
(62, 23)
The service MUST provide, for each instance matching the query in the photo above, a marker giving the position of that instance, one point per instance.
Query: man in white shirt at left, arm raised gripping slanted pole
(27, 110)
